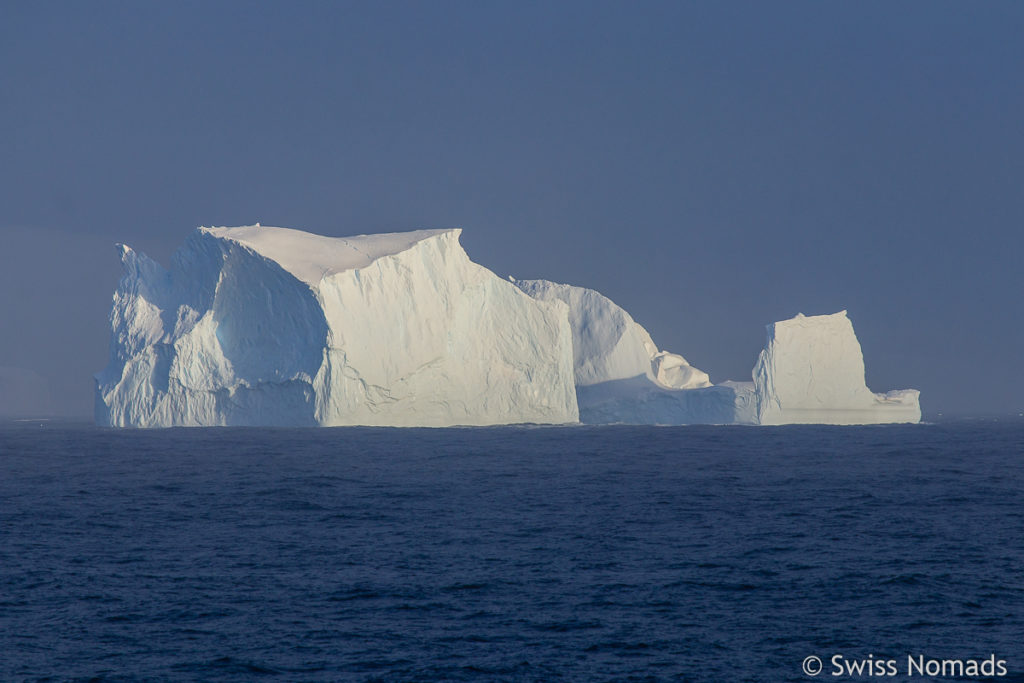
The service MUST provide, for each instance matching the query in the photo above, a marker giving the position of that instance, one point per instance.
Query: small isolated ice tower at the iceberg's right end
(813, 371)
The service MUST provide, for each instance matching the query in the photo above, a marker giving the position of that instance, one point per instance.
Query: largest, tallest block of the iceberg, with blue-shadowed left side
(261, 326)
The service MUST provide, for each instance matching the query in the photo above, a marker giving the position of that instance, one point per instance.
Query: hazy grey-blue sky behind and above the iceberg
(711, 167)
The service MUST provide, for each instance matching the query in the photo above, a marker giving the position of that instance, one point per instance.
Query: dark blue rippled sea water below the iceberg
(507, 554)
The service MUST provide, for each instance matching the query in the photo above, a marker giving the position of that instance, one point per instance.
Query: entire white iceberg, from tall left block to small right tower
(267, 326)
